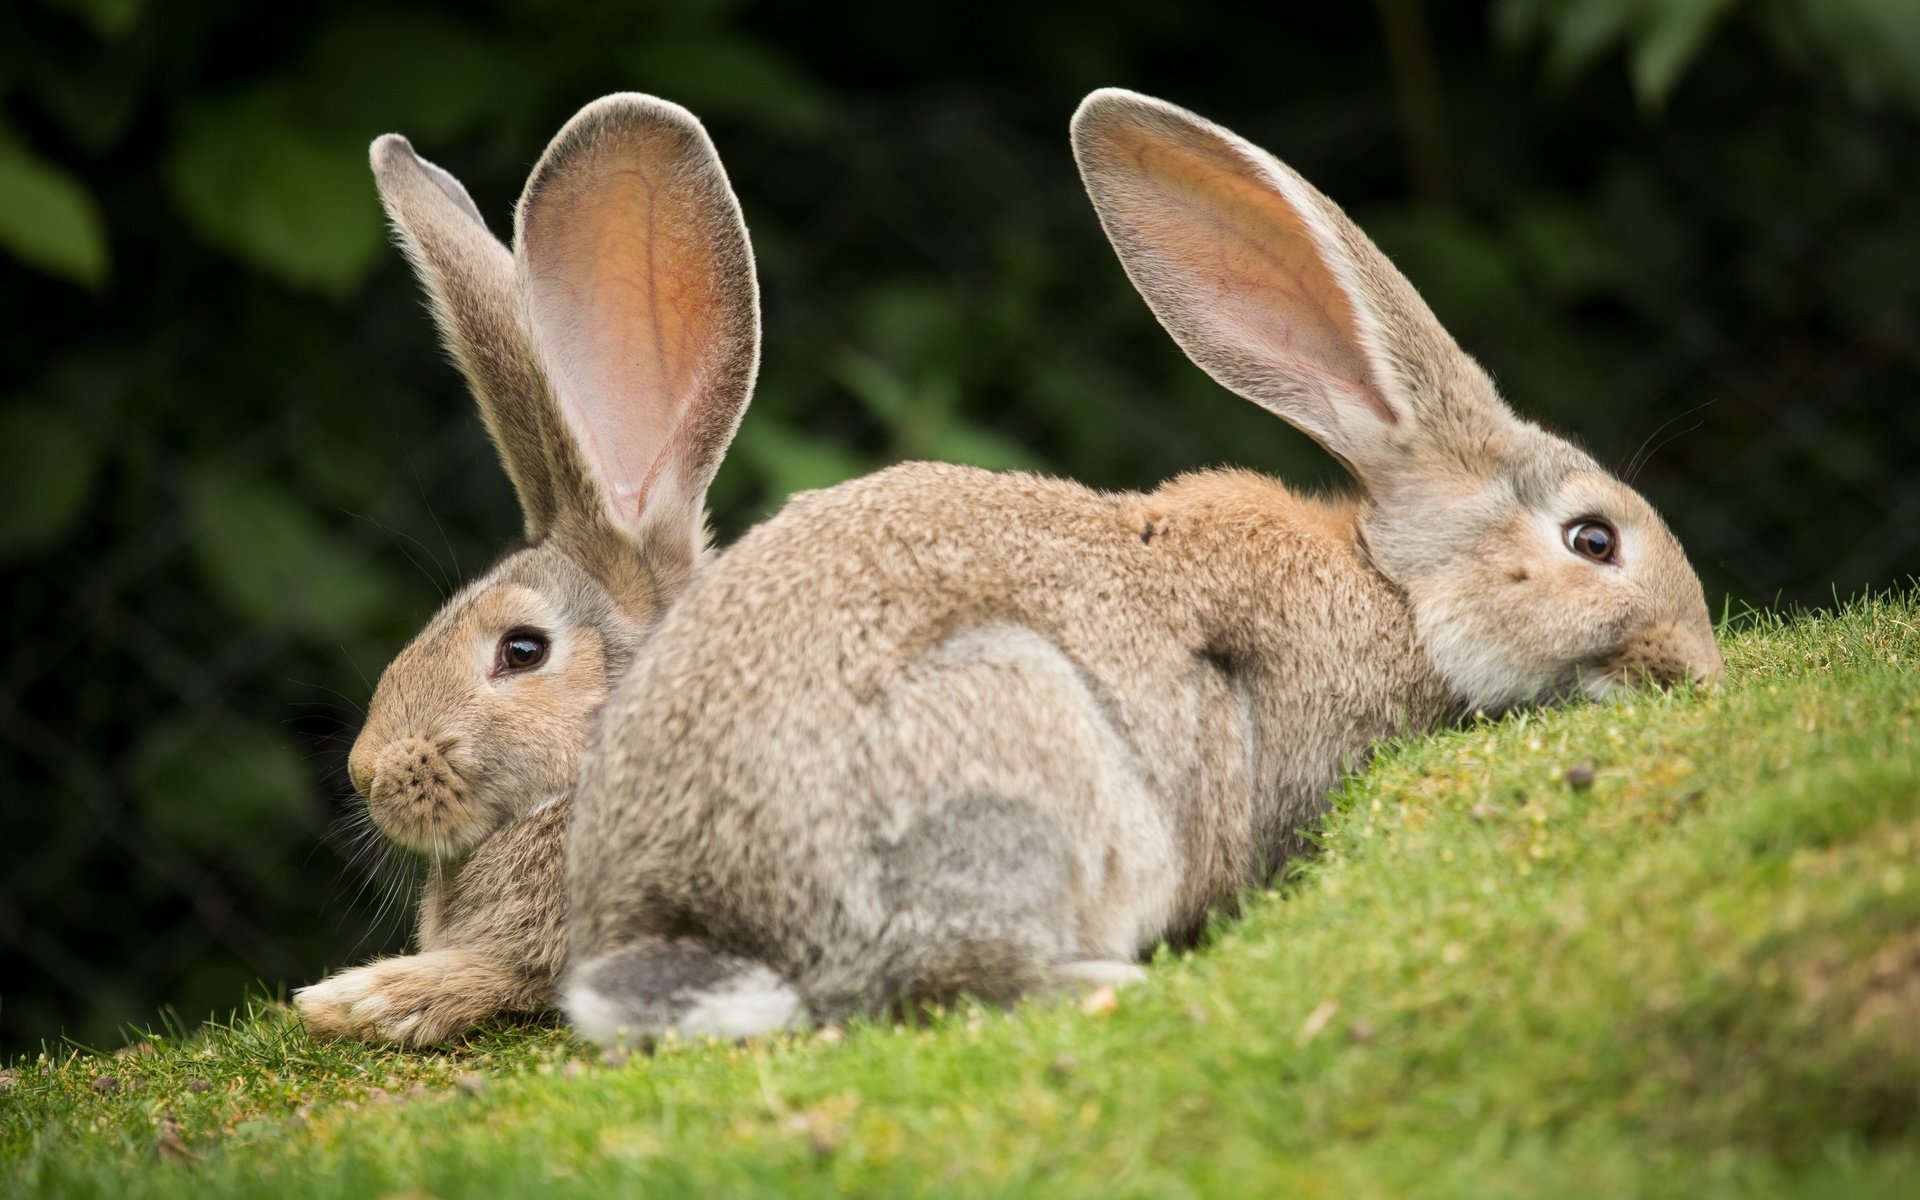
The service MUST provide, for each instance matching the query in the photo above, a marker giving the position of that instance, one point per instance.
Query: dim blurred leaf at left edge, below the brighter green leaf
(51, 473)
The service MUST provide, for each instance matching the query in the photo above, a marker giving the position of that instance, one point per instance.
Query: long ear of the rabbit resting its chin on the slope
(1270, 289)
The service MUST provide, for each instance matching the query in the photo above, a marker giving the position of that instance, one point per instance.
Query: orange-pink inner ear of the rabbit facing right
(1249, 268)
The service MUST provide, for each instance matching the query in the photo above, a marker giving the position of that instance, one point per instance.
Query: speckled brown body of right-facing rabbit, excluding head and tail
(1036, 725)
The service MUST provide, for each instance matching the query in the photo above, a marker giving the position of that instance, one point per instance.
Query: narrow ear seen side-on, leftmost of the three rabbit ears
(477, 304)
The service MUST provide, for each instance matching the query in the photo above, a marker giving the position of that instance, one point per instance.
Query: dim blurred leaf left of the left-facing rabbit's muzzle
(208, 790)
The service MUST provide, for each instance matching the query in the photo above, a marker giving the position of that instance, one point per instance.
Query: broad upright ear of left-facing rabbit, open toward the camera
(644, 312)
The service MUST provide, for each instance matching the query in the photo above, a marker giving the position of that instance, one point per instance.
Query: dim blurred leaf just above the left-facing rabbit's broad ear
(729, 76)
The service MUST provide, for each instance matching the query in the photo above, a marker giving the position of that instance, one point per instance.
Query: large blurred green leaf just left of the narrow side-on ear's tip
(289, 203)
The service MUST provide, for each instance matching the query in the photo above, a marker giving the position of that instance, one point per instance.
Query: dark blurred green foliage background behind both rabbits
(241, 473)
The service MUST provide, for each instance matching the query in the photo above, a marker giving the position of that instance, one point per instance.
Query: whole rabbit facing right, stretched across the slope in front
(992, 734)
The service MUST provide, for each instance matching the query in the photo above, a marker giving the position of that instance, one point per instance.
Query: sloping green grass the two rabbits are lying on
(1694, 976)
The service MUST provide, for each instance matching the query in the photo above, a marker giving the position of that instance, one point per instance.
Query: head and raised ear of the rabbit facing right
(1531, 571)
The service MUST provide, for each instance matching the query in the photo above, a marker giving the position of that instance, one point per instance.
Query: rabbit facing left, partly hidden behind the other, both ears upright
(612, 354)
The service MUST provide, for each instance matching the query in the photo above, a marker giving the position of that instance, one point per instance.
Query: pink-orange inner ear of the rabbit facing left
(621, 300)
